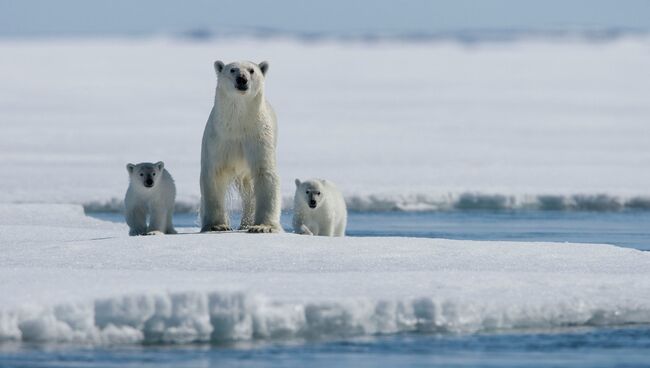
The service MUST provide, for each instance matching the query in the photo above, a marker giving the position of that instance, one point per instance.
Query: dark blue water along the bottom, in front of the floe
(605, 347)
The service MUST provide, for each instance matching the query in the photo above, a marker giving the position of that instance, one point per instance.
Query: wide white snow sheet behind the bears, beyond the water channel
(412, 126)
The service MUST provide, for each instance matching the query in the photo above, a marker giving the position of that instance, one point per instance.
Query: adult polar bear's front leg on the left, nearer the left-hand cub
(214, 186)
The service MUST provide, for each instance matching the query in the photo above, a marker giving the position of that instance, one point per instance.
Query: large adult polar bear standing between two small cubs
(238, 147)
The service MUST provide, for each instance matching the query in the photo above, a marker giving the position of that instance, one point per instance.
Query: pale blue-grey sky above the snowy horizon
(114, 17)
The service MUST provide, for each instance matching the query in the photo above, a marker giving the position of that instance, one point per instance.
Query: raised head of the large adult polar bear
(241, 77)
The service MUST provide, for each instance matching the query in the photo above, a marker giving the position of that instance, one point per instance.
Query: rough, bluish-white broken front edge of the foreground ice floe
(185, 317)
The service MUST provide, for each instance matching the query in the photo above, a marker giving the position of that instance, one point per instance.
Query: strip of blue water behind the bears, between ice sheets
(626, 229)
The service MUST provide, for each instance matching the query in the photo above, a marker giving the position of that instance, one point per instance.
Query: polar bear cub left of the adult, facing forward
(151, 195)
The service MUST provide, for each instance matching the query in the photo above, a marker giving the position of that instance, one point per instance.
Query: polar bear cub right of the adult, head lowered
(319, 209)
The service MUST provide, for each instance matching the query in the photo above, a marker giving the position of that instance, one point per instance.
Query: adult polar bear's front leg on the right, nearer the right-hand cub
(267, 202)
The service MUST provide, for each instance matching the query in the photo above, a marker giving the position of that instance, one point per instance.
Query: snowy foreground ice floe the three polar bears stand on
(92, 283)
